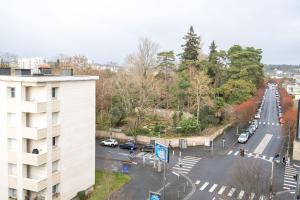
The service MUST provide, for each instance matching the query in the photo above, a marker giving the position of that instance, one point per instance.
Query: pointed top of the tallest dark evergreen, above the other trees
(191, 47)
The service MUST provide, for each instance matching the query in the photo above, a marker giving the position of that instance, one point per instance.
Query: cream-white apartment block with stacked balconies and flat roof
(47, 136)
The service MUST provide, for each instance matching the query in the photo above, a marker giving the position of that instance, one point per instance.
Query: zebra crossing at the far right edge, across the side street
(289, 183)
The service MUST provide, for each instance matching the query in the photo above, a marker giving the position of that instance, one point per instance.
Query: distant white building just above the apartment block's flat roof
(31, 63)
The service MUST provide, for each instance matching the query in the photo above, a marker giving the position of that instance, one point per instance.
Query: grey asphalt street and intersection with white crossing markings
(198, 173)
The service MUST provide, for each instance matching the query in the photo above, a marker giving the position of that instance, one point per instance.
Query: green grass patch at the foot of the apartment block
(106, 183)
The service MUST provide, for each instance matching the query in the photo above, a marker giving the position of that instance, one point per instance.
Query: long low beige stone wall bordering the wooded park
(191, 141)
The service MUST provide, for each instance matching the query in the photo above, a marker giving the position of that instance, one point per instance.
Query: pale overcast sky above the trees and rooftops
(108, 30)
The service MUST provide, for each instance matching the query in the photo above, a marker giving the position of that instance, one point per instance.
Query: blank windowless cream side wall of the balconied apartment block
(77, 138)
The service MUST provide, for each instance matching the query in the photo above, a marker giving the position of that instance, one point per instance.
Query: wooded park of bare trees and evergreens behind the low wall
(155, 94)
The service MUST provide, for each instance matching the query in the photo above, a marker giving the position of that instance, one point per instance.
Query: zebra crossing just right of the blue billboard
(185, 165)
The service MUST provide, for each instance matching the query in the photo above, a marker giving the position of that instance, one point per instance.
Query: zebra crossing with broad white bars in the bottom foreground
(226, 191)
